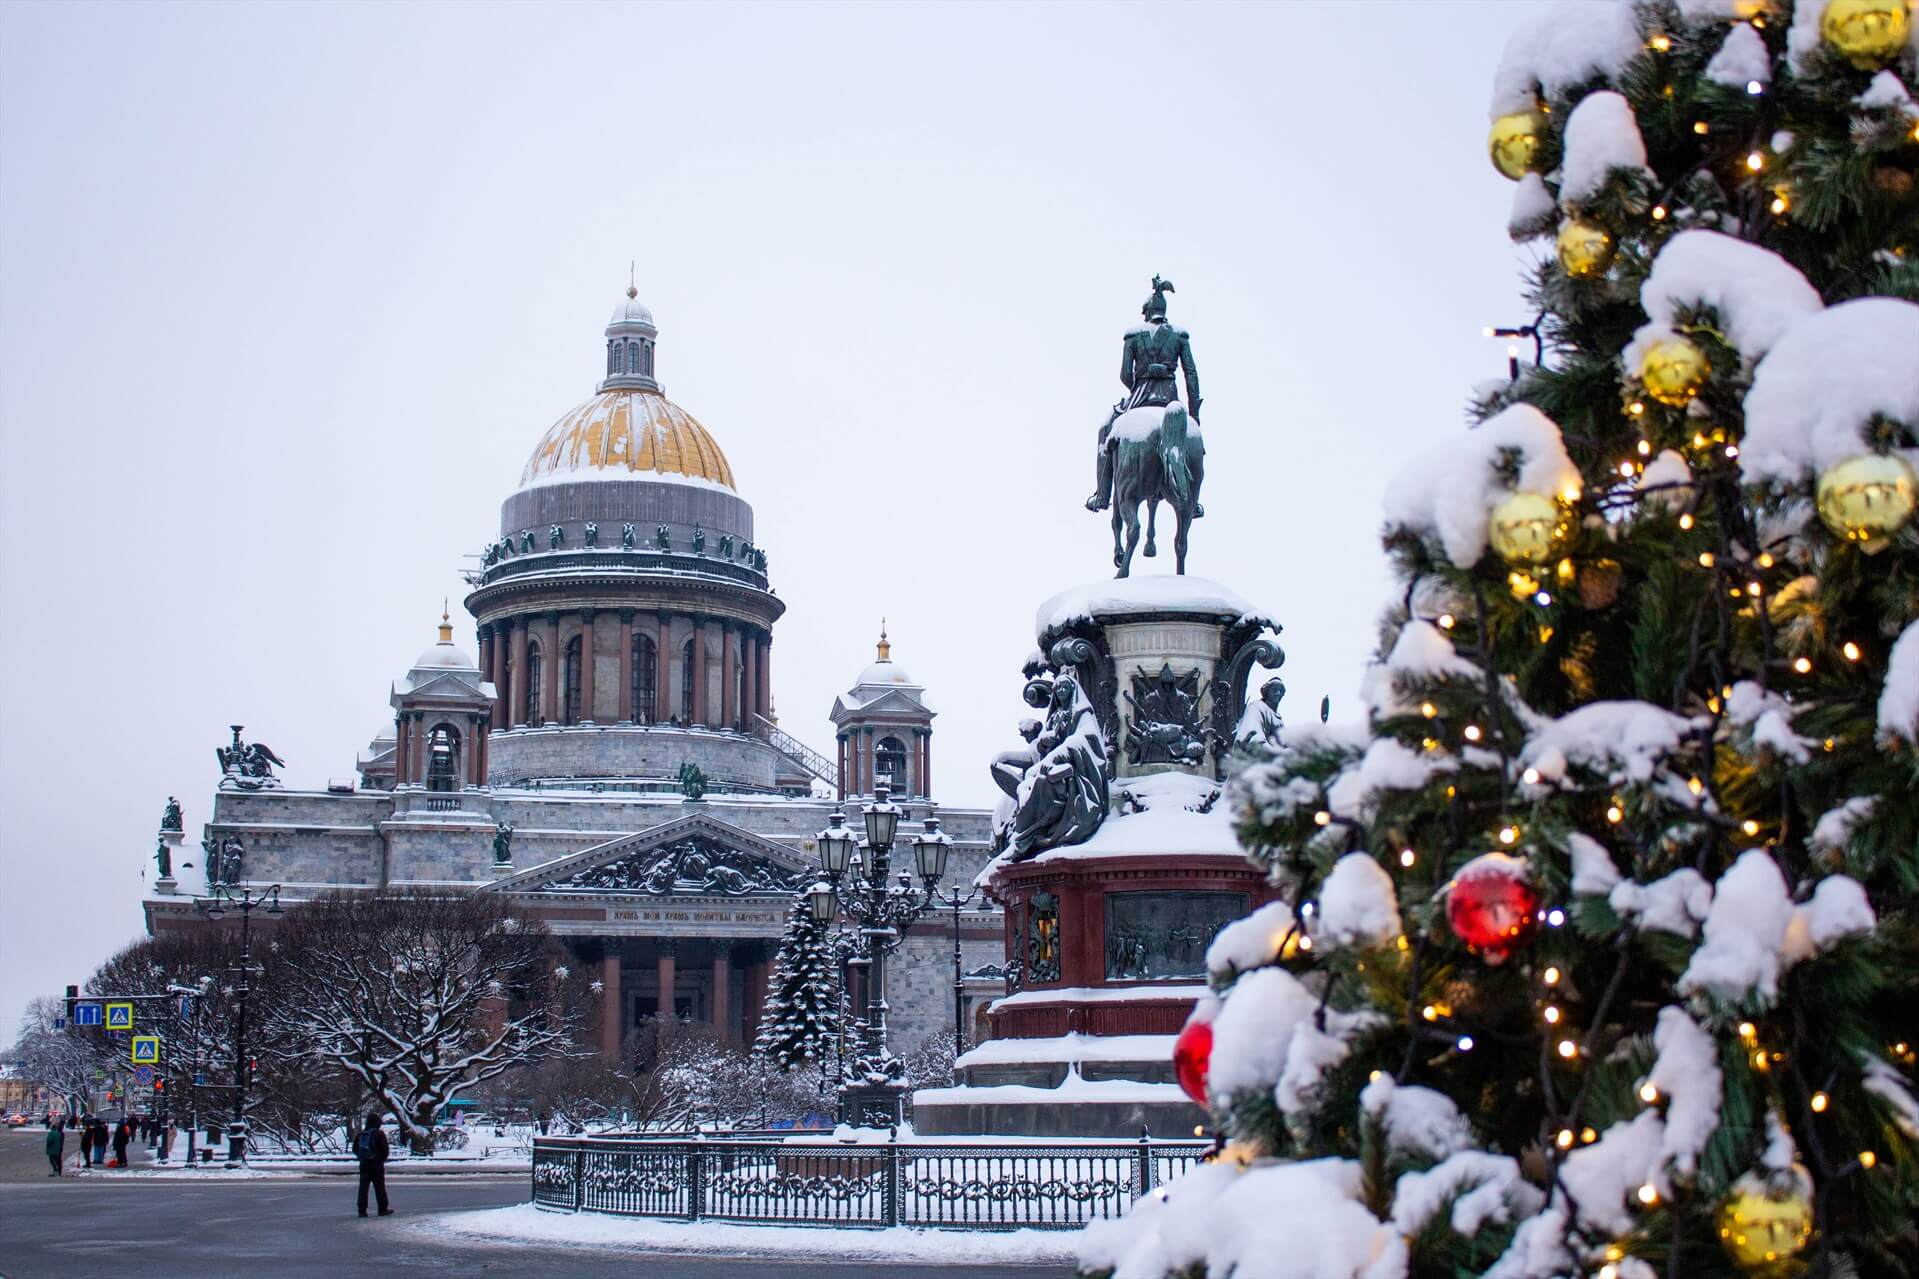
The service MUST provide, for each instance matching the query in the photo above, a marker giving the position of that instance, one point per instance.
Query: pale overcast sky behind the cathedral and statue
(289, 293)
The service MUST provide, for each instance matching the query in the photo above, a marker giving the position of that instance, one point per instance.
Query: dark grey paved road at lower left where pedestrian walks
(118, 1228)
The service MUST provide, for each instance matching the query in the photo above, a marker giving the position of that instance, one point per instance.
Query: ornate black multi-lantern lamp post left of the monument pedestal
(874, 1084)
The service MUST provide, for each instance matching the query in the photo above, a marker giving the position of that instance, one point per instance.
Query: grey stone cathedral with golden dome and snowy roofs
(607, 756)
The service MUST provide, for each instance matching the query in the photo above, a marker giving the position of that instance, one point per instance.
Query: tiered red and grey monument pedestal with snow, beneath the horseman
(1108, 936)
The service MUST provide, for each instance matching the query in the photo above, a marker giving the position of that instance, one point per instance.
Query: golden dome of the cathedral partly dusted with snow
(623, 435)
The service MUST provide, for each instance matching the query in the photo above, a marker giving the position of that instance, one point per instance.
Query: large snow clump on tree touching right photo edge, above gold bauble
(1824, 381)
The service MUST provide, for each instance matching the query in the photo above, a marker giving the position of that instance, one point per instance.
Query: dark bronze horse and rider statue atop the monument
(1150, 448)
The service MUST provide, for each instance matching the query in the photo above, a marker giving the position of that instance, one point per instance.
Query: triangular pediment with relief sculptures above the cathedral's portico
(694, 856)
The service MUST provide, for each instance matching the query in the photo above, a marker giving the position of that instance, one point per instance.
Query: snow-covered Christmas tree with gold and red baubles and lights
(1599, 953)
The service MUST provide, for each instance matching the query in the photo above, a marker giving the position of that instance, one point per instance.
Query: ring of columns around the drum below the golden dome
(746, 665)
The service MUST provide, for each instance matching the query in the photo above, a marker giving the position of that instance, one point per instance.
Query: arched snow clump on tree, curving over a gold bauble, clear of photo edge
(1757, 293)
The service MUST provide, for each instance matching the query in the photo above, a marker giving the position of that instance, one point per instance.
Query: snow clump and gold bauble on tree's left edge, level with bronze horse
(1450, 491)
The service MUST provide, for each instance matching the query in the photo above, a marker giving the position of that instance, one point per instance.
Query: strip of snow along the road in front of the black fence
(590, 1230)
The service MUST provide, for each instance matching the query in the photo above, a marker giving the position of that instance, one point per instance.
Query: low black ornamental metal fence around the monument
(815, 1182)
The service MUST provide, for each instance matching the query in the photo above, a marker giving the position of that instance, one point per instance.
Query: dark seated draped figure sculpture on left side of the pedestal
(1062, 798)
